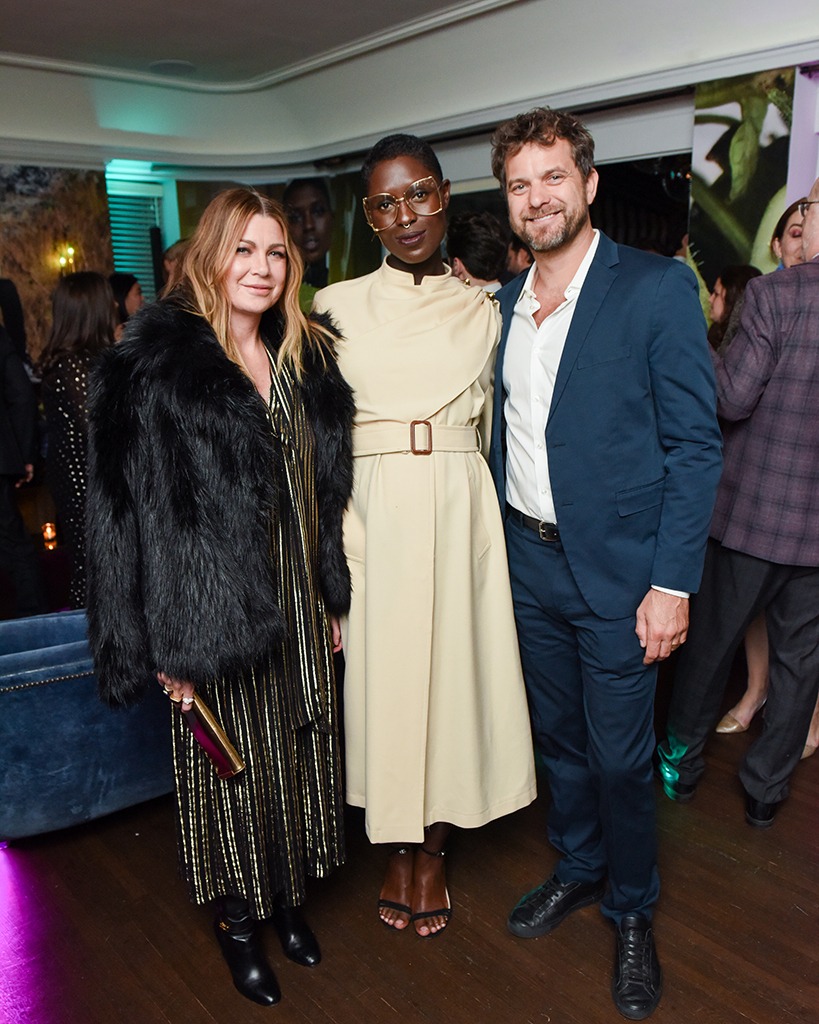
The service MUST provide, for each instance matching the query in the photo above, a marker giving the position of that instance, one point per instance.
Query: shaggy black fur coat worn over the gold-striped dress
(185, 476)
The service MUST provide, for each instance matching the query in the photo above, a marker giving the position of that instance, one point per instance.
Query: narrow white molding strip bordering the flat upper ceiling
(368, 45)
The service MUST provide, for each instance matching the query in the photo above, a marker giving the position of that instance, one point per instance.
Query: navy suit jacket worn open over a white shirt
(633, 441)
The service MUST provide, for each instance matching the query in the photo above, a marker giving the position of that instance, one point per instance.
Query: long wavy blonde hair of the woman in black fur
(208, 259)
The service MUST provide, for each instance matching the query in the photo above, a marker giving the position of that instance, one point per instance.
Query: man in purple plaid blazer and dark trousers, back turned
(764, 547)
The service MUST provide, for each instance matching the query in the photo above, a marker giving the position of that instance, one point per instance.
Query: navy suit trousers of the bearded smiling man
(592, 706)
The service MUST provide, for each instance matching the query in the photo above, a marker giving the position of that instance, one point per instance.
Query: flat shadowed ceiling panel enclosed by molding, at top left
(229, 45)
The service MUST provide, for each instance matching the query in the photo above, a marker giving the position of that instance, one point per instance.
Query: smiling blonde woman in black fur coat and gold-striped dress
(220, 467)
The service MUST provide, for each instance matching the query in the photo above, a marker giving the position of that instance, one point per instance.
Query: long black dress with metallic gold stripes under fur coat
(265, 831)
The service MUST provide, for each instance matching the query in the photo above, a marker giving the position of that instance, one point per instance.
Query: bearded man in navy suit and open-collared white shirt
(607, 457)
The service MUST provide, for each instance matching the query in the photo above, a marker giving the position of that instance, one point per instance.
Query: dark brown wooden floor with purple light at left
(96, 928)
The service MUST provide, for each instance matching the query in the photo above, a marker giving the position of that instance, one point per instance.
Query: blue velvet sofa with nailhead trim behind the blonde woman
(65, 757)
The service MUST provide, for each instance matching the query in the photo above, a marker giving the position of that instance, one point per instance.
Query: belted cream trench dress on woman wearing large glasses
(437, 722)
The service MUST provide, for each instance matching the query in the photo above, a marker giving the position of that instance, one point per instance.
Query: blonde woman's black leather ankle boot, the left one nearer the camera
(239, 940)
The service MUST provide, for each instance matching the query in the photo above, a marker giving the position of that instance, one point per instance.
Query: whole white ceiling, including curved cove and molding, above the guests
(278, 87)
